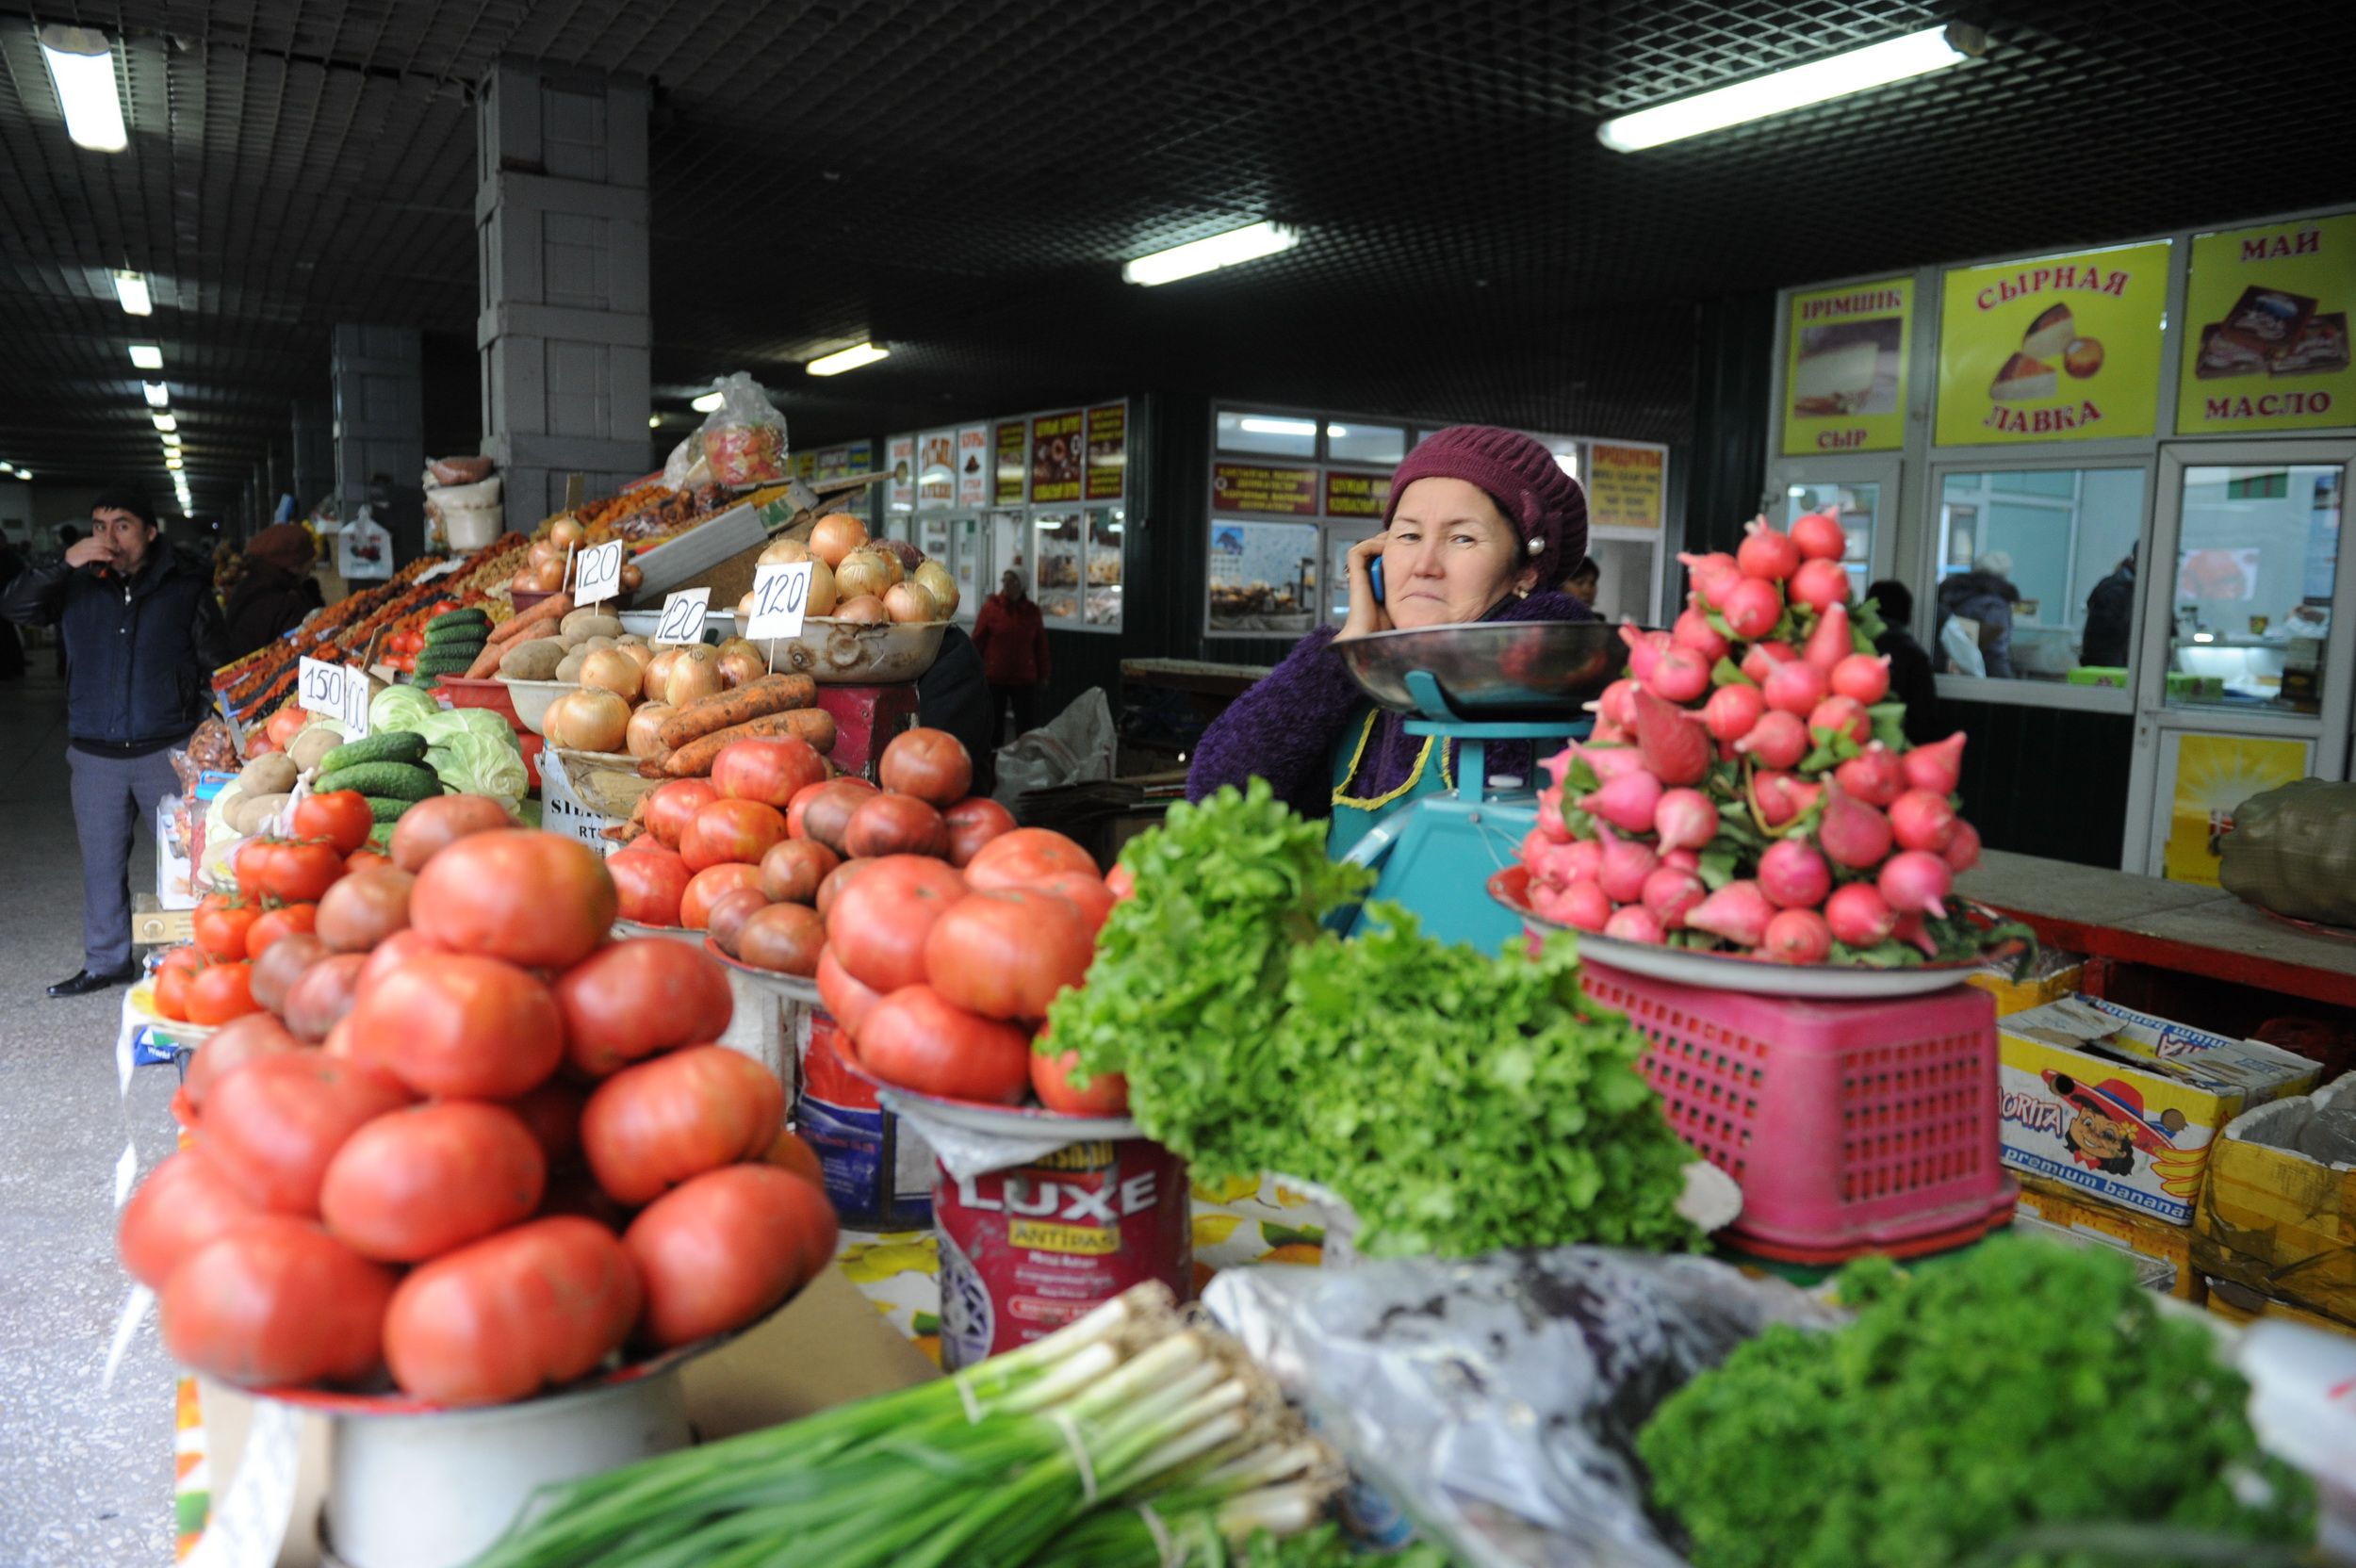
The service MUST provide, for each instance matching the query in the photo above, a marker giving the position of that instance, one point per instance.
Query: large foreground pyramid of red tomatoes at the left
(470, 1141)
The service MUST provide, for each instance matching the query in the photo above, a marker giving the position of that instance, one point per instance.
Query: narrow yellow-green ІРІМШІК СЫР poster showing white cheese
(1846, 368)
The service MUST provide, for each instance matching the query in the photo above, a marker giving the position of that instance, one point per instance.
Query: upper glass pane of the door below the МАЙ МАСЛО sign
(2251, 604)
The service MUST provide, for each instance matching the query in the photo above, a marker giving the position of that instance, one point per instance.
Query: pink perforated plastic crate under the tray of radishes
(1862, 1127)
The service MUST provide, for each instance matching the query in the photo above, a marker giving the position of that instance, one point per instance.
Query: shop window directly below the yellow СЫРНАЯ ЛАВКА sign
(2034, 576)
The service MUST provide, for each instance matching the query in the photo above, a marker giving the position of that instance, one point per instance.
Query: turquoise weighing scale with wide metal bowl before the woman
(1490, 682)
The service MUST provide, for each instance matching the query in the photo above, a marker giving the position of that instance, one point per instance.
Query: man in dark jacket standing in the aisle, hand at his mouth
(143, 637)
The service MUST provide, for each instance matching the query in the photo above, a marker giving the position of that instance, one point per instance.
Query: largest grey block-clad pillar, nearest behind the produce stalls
(564, 300)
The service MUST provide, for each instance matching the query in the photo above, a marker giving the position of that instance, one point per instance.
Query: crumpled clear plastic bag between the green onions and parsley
(1497, 1400)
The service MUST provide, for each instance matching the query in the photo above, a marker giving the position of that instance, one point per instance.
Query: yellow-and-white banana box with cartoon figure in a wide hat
(2124, 1103)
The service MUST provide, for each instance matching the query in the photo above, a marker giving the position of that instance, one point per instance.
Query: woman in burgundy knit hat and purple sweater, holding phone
(1478, 521)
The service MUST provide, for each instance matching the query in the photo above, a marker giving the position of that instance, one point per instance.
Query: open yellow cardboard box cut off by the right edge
(2279, 1211)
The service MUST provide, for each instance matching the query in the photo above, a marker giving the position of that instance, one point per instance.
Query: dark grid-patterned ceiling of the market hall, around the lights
(962, 180)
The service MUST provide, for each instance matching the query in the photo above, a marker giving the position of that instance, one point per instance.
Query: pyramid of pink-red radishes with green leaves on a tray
(1749, 788)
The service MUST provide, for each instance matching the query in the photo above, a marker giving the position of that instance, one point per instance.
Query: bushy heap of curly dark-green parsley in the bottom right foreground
(2011, 1390)
